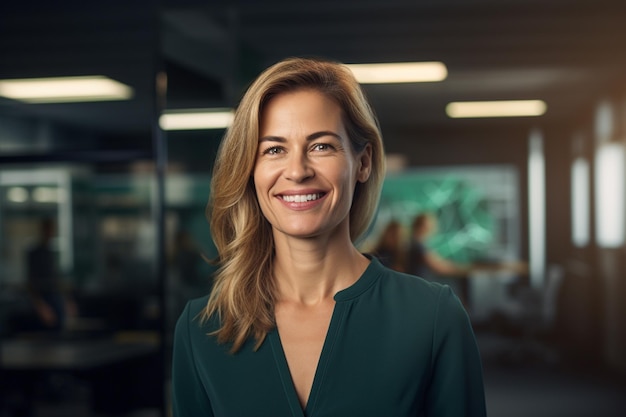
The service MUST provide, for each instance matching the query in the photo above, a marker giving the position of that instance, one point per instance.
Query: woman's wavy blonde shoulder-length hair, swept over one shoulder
(243, 291)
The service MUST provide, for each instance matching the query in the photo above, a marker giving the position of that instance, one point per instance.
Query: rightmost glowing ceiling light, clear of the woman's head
(501, 108)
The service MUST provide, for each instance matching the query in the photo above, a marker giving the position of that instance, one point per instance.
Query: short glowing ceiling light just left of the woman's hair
(196, 119)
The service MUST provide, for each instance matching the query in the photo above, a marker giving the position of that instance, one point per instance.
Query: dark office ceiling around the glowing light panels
(568, 53)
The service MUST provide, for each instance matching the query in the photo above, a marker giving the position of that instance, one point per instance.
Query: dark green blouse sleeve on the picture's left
(189, 398)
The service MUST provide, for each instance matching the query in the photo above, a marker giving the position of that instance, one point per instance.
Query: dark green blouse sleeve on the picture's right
(456, 387)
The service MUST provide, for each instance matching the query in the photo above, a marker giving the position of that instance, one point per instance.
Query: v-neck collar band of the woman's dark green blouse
(365, 281)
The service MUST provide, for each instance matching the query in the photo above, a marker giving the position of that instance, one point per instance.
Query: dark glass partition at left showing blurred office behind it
(80, 294)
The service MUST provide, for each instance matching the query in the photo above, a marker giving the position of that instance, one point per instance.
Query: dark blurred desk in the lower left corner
(122, 376)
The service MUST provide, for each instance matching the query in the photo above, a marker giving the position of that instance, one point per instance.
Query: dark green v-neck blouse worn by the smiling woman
(397, 346)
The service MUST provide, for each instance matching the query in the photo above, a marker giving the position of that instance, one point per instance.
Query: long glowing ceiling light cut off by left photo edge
(65, 89)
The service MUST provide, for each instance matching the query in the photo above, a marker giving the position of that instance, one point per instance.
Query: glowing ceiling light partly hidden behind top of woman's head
(401, 72)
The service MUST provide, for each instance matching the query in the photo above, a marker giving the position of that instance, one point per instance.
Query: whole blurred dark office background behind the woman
(126, 192)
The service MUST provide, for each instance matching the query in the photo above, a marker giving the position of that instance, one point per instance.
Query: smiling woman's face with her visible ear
(306, 170)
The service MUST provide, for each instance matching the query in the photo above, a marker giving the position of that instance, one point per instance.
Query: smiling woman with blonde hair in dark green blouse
(299, 322)
